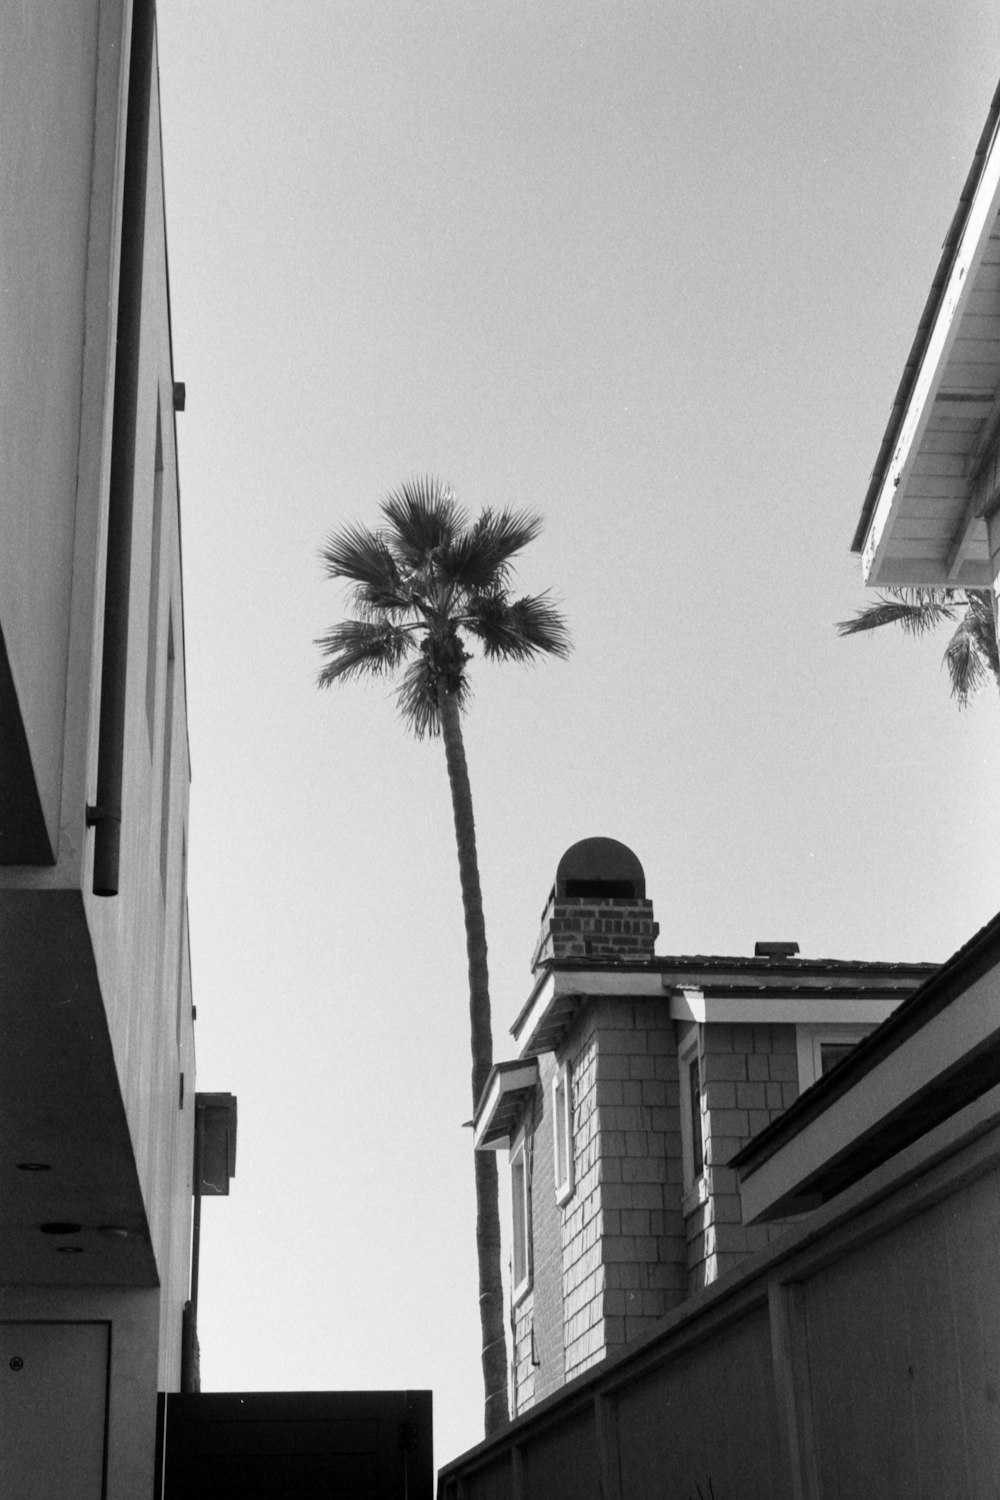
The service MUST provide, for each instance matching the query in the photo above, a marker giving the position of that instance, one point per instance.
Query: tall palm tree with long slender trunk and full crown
(424, 586)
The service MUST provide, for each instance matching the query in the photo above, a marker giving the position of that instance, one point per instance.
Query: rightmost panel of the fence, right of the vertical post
(905, 1355)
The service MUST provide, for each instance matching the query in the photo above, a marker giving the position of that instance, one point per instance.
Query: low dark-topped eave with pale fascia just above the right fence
(938, 1054)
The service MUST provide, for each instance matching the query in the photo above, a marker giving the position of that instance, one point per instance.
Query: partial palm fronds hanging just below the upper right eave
(971, 656)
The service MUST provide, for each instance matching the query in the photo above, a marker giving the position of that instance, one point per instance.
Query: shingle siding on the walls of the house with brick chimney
(621, 1252)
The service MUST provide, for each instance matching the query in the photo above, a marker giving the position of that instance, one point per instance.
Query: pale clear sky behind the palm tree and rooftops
(653, 271)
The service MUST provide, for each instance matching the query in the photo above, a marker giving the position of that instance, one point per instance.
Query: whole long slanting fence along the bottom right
(858, 1357)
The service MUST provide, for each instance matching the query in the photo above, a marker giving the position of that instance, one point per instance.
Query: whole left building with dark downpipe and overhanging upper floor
(98, 1061)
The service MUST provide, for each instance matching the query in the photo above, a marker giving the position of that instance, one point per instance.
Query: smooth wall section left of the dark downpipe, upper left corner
(49, 67)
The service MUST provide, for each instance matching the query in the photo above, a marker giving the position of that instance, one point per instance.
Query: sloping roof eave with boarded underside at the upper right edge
(936, 473)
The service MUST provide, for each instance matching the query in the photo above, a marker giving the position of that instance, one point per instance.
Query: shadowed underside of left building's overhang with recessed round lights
(64, 1118)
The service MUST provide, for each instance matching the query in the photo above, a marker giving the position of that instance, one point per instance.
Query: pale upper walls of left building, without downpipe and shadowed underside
(64, 83)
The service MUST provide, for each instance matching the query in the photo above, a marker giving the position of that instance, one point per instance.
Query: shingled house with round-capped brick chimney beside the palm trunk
(638, 1081)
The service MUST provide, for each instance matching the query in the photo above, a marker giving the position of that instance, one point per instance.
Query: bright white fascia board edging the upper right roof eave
(971, 251)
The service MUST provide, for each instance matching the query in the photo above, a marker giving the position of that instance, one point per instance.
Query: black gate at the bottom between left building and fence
(373, 1445)
